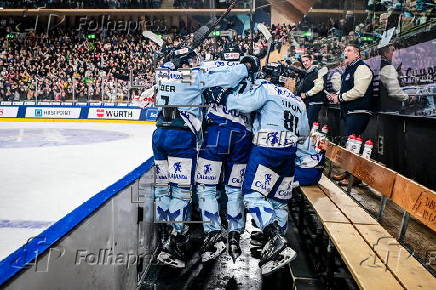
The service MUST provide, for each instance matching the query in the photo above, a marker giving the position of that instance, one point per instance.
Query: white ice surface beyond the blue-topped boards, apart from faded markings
(46, 183)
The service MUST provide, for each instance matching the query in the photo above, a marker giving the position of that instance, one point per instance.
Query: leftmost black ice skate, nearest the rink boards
(173, 252)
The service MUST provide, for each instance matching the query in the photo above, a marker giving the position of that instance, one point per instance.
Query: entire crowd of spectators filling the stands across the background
(67, 65)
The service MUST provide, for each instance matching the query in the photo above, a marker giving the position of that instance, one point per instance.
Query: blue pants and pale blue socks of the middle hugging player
(223, 148)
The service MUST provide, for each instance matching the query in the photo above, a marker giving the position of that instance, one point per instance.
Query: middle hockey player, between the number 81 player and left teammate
(226, 147)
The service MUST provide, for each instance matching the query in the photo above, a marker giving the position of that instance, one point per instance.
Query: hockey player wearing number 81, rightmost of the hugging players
(280, 122)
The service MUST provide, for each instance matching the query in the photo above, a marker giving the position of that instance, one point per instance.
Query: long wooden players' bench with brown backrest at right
(374, 258)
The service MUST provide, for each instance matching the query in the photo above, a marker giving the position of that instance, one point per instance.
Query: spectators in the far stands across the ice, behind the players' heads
(68, 66)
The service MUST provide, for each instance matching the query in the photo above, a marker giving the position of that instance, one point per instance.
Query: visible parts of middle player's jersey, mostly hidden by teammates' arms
(220, 114)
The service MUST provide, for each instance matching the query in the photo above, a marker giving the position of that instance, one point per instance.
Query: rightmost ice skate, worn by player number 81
(276, 253)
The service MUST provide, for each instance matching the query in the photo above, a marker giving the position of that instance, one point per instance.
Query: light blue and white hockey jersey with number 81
(282, 118)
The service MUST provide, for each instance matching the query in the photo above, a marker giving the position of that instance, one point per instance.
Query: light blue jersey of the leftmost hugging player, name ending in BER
(182, 89)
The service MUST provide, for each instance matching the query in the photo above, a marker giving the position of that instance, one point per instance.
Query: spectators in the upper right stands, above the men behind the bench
(327, 39)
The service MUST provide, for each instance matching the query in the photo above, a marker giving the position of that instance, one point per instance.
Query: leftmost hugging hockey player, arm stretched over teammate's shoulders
(179, 96)
